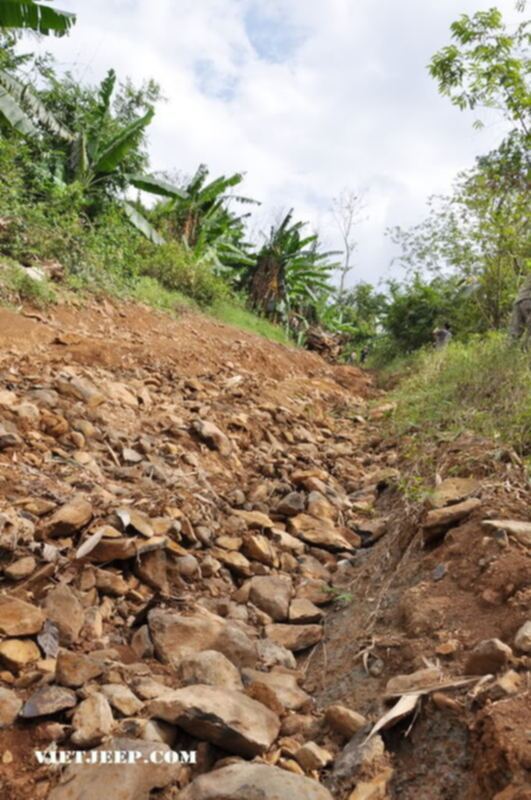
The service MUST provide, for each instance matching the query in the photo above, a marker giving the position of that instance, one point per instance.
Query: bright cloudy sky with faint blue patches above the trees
(307, 97)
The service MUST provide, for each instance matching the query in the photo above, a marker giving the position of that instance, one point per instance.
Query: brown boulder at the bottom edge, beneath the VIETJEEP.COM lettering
(131, 781)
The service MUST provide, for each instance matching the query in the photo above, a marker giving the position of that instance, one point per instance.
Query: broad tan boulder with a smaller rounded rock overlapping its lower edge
(176, 636)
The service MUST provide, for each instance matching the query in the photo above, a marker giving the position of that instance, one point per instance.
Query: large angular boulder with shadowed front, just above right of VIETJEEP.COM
(226, 718)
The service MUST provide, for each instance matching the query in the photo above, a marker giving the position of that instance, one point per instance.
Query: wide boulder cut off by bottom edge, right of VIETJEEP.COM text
(252, 782)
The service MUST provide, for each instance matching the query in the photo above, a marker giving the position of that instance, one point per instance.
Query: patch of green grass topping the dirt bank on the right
(483, 386)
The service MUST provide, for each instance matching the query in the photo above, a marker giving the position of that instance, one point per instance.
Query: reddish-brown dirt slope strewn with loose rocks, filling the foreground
(205, 545)
